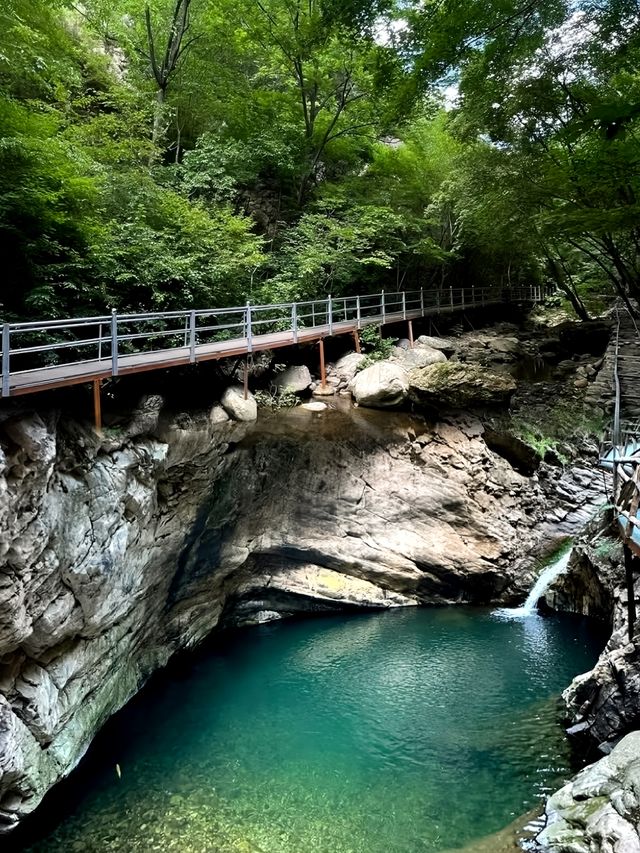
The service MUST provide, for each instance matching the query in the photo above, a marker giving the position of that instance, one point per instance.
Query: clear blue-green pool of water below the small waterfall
(412, 730)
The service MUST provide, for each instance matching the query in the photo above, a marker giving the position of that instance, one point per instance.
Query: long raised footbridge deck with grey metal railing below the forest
(108, 342)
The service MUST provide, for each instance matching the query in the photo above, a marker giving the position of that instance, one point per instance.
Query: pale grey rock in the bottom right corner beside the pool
(599, 810)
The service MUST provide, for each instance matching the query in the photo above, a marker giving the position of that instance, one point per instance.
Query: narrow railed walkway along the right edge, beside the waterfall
(621, 453)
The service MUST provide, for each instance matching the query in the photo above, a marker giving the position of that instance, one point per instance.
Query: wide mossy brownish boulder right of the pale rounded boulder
(458, 386)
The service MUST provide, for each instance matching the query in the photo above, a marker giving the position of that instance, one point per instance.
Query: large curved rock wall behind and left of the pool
(120, 550)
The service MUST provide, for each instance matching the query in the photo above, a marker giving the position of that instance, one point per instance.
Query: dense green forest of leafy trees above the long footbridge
(189, 153)
